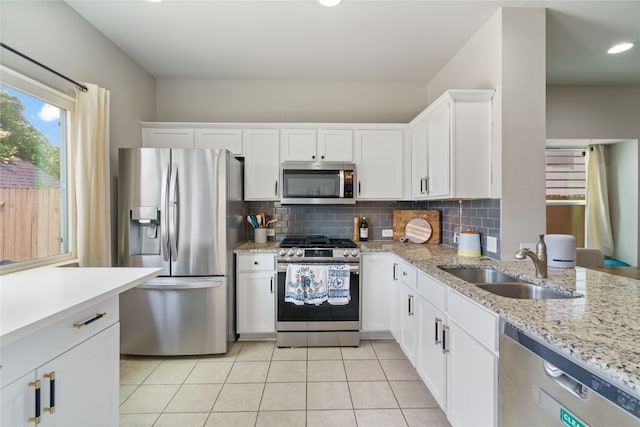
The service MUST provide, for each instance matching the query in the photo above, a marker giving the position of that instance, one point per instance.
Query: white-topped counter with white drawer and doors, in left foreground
(62, 323)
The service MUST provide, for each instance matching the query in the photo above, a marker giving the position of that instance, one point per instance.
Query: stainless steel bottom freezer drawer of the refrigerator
(174, 316)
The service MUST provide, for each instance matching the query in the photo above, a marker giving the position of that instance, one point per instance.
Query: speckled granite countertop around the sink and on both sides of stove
(600, 329)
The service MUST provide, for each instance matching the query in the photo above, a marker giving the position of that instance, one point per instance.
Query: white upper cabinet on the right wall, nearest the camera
(451, 147)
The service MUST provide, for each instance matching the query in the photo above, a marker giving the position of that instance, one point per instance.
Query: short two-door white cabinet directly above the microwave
(316, 146)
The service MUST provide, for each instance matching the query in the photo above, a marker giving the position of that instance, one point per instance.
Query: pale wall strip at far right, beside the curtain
(622, 177)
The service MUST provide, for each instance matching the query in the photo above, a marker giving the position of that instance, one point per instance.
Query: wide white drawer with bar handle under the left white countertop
(21, 356)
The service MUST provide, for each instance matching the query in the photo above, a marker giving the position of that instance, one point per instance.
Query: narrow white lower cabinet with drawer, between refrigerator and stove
(256, 294)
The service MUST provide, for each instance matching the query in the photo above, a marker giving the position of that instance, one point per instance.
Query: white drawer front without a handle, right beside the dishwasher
(479, 322)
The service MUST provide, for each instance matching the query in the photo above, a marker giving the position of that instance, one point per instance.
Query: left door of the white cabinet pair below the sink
(431, 360)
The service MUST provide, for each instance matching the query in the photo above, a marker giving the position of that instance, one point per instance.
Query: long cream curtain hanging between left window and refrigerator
(90, 177)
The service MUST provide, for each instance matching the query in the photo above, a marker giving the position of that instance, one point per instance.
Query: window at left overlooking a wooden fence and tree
(34, 219)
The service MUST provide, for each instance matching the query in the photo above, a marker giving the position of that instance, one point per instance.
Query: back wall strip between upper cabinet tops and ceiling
(289, 101)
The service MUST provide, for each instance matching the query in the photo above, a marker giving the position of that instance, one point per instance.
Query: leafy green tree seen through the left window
(20, 139)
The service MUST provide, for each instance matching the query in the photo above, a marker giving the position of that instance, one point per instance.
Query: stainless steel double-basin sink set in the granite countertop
(503, 284)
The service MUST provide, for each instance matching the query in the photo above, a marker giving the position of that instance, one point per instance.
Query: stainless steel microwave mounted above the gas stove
(318, 183)
